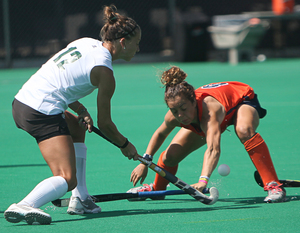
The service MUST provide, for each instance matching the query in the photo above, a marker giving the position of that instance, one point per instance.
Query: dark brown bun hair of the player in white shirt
(117, 26)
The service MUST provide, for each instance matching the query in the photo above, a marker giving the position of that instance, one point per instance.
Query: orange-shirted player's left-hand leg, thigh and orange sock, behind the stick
(184, 143)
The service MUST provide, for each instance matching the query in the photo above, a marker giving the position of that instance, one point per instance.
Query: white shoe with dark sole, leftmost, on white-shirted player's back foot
(17, 213)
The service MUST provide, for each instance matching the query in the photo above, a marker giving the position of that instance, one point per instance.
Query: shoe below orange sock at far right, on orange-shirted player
(276, 193)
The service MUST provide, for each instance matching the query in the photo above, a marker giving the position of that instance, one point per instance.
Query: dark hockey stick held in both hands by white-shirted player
(214, 193)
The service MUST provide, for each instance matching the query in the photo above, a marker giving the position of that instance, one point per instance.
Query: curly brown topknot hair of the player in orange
(173, 80)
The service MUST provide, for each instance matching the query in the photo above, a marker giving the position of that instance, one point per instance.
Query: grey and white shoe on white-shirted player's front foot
(88, 206)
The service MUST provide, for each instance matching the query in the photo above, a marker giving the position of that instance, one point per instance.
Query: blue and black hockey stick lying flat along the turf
(121, 196)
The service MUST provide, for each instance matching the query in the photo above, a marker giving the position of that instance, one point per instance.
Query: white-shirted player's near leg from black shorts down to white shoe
(55, 143)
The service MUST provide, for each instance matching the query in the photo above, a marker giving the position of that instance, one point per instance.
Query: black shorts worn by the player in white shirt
(38, 125)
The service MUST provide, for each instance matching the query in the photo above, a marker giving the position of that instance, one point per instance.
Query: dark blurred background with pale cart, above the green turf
(31, 31)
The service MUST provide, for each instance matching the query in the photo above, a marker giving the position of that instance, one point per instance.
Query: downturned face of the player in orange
(183, 109)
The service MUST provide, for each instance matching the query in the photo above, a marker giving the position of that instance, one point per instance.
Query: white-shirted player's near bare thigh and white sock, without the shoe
(58, 152)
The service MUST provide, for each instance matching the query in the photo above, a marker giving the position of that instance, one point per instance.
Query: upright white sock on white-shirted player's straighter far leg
(81, 189)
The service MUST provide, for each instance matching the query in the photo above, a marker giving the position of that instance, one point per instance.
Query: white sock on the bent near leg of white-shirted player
(48, 190)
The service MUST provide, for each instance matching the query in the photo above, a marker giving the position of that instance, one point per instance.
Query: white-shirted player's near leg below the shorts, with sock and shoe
(58, 152)
